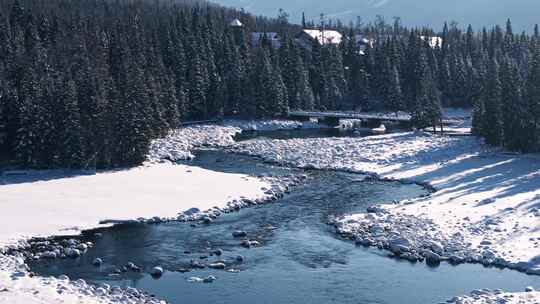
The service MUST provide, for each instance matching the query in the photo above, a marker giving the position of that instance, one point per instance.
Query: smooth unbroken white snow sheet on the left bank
(72, 204)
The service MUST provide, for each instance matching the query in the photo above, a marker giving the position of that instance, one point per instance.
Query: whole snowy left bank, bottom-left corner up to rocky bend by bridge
(46, 203)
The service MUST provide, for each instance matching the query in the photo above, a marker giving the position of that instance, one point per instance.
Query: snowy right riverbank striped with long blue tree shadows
(486, 209)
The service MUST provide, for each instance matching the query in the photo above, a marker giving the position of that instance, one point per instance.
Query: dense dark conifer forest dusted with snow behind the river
(89, 83)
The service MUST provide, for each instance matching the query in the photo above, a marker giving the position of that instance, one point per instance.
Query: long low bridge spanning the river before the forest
(369, 120)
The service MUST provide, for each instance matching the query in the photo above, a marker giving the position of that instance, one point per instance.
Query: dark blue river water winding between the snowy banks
(299, 260)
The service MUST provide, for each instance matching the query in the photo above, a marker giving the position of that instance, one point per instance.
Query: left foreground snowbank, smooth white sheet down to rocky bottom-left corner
(69, 205)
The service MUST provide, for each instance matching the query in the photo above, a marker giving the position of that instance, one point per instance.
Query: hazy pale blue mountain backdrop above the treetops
(479, 13)
